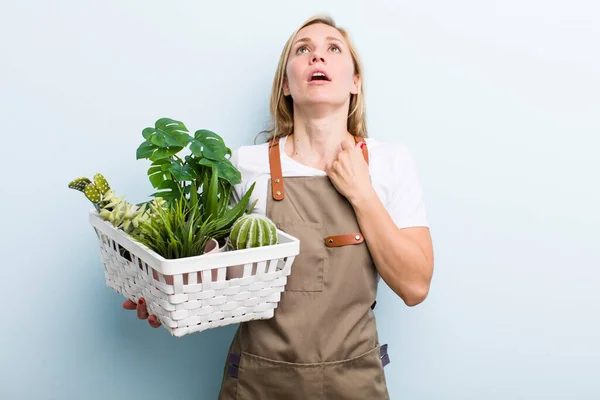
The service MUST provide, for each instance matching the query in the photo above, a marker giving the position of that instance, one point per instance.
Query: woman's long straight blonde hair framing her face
(282, 107)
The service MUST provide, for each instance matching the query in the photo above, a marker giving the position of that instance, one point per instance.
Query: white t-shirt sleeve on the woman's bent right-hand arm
(406, 207)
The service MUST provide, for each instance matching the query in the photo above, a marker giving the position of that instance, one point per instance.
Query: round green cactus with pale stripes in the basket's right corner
(253, 230)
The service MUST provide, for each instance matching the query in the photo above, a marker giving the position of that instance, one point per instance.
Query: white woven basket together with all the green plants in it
(177, 250)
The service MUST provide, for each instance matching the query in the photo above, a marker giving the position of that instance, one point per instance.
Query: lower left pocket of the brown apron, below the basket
(265, 379)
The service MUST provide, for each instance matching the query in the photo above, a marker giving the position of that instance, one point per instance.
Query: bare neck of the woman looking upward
(317, 138)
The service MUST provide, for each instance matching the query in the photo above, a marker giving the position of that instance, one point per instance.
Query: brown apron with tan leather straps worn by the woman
(322, 342)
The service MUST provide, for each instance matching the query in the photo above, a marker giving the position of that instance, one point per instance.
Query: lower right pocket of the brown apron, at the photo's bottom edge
(358, 378)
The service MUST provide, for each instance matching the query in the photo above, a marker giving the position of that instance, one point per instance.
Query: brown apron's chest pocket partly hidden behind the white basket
(308, 269)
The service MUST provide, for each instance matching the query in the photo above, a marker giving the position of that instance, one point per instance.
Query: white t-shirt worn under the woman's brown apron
(391, 166)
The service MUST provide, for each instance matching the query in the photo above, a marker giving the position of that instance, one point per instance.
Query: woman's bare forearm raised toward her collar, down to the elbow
(401, 260)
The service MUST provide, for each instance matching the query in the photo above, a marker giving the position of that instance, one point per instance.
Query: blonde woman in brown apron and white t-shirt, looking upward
(355, 204)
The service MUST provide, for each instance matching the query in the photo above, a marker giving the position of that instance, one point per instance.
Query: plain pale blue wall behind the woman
(497, 100)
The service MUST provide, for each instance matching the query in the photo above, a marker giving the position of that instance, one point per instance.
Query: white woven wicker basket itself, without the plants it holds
(197, 293)
